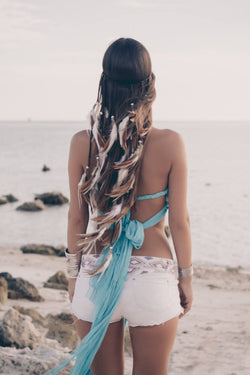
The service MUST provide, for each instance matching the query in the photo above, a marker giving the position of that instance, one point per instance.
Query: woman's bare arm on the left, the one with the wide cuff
(78, 215)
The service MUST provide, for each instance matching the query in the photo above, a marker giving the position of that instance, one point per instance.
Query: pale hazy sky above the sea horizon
(51, 53)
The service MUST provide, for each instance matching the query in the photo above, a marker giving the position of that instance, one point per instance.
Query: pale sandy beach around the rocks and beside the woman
(213, 338)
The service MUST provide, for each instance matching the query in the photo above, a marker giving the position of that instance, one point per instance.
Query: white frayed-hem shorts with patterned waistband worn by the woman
(150, 295)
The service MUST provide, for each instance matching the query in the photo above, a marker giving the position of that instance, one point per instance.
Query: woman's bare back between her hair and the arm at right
(154, 176)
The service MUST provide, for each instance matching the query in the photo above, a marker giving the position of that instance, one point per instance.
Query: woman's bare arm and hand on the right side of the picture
(179, 220)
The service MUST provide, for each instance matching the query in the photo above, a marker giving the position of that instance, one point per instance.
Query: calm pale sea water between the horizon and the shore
(218, 156)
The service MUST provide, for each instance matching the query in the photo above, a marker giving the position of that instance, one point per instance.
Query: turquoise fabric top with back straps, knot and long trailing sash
(105, 293)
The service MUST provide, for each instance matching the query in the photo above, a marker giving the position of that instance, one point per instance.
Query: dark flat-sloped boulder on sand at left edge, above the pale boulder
(20, 288)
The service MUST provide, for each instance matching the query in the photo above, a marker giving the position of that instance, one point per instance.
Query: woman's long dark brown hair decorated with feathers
(120, 121)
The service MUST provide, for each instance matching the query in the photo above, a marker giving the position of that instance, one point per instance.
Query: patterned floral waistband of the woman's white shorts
(138, 264)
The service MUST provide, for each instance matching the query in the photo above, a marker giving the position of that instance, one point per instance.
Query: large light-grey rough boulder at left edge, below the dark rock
(17, 330)
